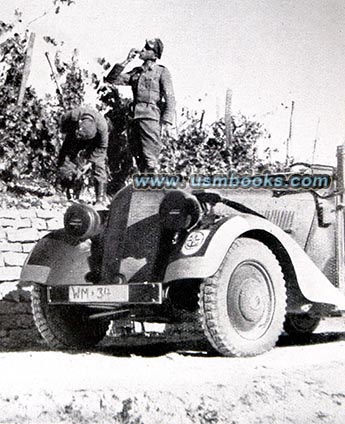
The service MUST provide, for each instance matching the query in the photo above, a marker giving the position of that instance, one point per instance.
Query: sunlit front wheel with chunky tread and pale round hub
(242, 307)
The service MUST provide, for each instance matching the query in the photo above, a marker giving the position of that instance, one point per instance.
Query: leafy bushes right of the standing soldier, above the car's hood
(202, 149)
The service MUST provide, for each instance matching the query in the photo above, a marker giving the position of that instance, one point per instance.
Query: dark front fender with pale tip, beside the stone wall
(57, 260)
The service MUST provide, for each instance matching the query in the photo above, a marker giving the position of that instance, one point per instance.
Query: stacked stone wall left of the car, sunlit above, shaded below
(19, 231)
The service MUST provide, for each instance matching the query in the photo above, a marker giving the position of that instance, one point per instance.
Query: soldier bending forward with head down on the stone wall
(84, 147)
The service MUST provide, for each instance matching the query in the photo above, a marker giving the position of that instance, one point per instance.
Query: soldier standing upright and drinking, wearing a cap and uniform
(153, 102)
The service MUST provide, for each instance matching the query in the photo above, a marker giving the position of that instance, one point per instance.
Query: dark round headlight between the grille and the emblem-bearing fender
(179, 211)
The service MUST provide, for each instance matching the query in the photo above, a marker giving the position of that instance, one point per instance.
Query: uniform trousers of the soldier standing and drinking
(145, 143)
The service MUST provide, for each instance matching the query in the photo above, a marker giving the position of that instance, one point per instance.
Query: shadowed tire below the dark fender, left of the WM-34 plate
(63, 326)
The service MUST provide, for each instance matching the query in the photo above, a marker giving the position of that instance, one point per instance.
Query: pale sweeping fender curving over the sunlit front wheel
(313, 284)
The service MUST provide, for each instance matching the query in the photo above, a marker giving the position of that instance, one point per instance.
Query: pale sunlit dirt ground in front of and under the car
(294, 383)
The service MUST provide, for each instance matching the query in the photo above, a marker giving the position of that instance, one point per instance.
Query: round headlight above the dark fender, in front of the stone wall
(82, 221)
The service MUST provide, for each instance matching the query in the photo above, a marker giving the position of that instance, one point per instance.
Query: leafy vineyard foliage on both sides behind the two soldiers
(30, 138)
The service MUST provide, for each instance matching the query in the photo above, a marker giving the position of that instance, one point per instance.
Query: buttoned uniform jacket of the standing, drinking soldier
(152, 88)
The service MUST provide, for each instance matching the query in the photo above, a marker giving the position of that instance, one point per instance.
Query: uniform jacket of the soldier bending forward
(95, 148)
